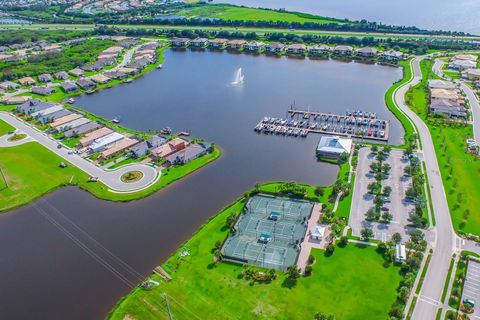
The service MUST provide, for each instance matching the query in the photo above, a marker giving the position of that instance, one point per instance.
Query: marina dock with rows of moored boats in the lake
(354, 124)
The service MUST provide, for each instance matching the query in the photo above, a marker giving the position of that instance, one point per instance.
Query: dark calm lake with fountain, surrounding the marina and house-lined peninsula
(52, 269)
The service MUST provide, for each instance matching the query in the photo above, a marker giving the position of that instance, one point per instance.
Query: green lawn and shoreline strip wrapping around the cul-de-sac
(32, 171)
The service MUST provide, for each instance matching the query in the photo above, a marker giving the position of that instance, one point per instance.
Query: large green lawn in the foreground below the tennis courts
(351, 284)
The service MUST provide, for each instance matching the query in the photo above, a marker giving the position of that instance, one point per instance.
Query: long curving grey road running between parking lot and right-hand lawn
(445, 238)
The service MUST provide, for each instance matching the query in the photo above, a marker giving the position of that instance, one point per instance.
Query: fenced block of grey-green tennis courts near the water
(268, 232)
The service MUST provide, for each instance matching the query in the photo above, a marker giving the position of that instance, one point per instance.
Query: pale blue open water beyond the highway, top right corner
(459, 15)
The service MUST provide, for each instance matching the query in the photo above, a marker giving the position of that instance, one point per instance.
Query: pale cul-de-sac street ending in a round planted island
(109, 178)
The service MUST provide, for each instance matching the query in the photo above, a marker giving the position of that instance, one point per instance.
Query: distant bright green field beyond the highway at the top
(229, 12)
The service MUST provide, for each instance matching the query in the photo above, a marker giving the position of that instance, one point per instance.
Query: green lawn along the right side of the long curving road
(459, 169)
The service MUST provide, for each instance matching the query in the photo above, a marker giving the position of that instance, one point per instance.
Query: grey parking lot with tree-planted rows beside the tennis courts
(363, 201)
